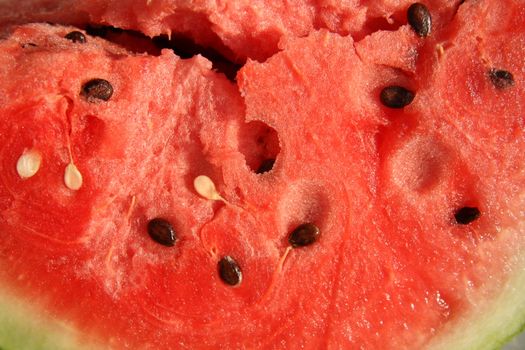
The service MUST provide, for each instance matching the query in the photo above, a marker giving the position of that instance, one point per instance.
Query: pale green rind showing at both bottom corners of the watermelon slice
(25, 326)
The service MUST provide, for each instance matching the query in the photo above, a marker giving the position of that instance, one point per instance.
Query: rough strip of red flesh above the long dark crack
(239, 29)
